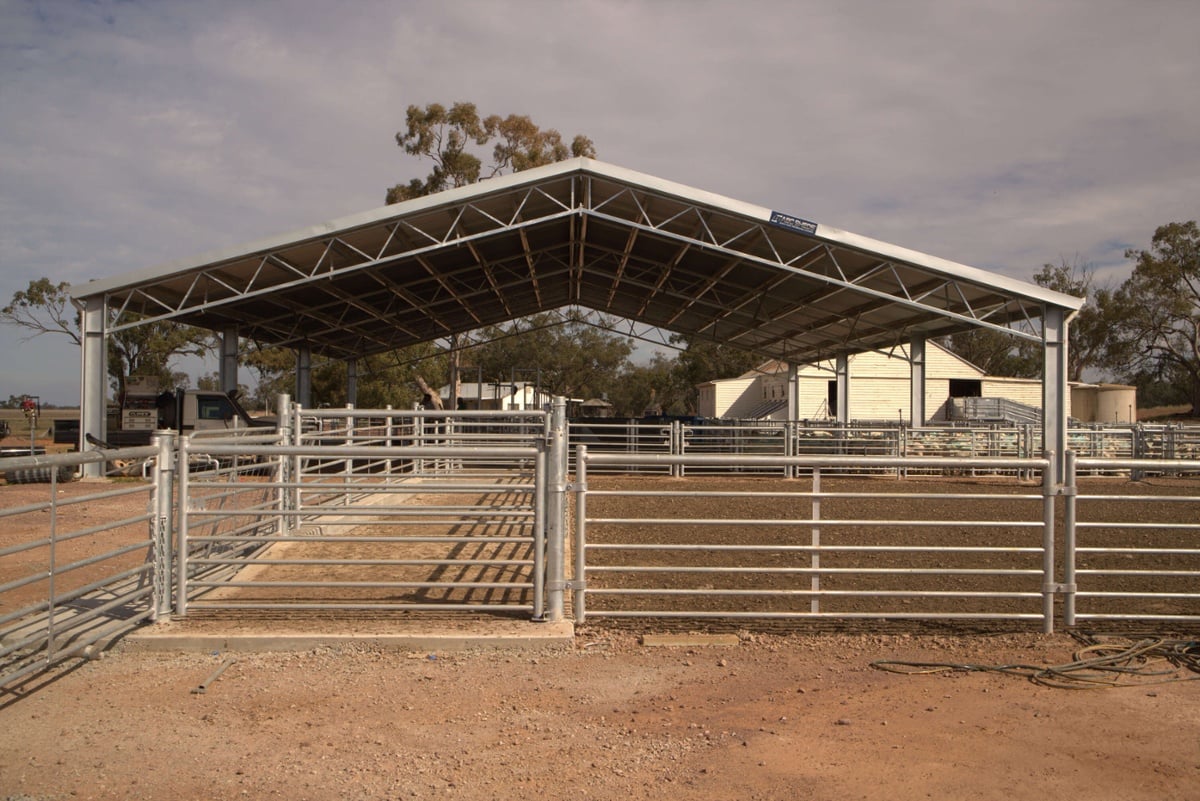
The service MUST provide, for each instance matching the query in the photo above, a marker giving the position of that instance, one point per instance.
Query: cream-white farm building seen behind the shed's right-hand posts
(880, 388)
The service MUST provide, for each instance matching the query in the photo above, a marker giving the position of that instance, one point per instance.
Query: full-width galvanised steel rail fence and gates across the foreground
(351, 513)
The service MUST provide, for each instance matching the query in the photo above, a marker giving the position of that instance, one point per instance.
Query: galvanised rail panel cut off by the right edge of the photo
(1142, 551)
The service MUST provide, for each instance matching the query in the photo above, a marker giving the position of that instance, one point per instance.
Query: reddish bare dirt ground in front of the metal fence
(770, 715)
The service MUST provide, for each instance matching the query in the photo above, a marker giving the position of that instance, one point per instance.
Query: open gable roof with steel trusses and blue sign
(578, 234)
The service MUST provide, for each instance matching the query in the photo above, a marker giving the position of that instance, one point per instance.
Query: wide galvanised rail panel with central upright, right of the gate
(818, 547)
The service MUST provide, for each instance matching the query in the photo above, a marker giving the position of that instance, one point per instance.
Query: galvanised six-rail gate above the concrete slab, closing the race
(467, 539)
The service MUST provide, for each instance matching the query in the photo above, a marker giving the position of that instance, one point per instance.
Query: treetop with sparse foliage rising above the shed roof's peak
(452, 138)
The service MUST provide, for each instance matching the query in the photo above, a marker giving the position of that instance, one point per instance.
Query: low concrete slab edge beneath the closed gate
(530, 637)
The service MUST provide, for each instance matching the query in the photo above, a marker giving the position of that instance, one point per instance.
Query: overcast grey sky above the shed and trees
(1004, 135)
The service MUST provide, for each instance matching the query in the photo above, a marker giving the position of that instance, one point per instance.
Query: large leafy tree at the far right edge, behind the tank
(1157, 330)
